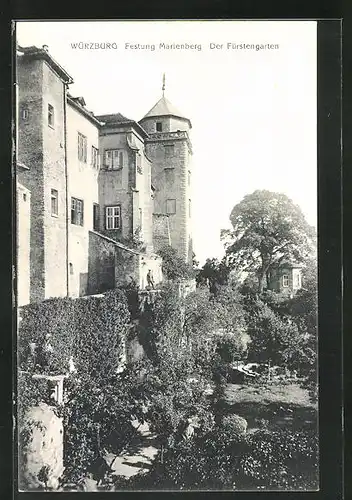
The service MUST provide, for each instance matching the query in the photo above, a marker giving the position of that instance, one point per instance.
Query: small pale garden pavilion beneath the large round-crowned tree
(285, 278)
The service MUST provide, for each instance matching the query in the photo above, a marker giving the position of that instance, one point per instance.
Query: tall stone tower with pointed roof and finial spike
(169, 147)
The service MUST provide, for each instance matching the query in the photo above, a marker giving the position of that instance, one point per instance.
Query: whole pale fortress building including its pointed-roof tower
(97, 196)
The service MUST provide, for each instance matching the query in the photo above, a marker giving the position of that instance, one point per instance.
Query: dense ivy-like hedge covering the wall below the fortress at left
(53, 331)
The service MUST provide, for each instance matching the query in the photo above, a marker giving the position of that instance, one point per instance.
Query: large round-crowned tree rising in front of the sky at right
(268, 228)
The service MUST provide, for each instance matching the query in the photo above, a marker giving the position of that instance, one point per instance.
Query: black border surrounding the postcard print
(329, 179)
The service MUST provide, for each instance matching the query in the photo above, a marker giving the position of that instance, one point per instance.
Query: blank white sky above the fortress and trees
(253, 112)
